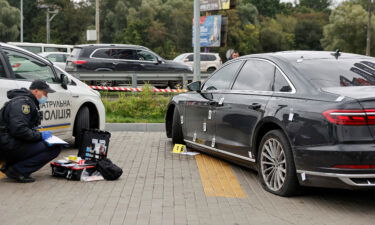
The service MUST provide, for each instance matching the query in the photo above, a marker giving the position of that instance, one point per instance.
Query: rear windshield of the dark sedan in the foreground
(338, 73)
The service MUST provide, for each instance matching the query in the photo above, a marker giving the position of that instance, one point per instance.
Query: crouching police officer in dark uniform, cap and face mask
(21, 145)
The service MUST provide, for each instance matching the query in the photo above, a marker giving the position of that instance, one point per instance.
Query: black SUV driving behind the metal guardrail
(120, 57)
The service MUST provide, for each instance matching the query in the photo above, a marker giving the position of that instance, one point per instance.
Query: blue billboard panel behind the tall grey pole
(210, 28)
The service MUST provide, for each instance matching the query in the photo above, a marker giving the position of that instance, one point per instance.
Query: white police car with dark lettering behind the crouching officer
(73, 107)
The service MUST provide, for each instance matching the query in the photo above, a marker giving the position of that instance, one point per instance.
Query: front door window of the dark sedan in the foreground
(222, 79)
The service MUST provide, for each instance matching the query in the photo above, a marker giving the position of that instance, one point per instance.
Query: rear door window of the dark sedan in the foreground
(255, 75)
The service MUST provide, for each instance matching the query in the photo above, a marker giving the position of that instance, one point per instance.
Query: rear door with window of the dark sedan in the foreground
(243, 107)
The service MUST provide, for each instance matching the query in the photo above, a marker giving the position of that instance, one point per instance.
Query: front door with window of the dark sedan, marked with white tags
(200, 107)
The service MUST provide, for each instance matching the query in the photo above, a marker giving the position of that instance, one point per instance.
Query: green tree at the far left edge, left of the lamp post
(9, 21)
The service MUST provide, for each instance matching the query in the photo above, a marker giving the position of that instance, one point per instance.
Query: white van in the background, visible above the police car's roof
(41, 47)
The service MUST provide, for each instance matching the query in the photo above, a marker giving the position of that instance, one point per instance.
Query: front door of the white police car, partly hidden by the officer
(57, 111)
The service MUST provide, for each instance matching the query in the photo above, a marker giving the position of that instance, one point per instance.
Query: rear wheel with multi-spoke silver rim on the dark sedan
(277, 174)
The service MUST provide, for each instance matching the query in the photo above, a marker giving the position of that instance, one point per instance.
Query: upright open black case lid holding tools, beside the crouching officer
(94, 145)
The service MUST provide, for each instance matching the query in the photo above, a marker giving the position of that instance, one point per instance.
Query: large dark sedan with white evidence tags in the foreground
(299, 118)
